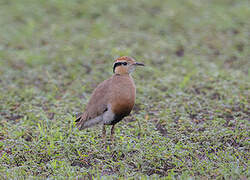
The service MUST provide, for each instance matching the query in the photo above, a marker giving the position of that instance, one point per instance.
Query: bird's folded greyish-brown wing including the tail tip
(97, 104)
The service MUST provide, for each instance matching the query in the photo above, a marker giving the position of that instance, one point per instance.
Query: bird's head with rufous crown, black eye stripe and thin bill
(125, 65)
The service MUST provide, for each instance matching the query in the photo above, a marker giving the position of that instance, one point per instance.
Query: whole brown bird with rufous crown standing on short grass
(113, 99)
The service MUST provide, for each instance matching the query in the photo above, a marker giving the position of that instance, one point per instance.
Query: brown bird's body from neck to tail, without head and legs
(115, 95)
